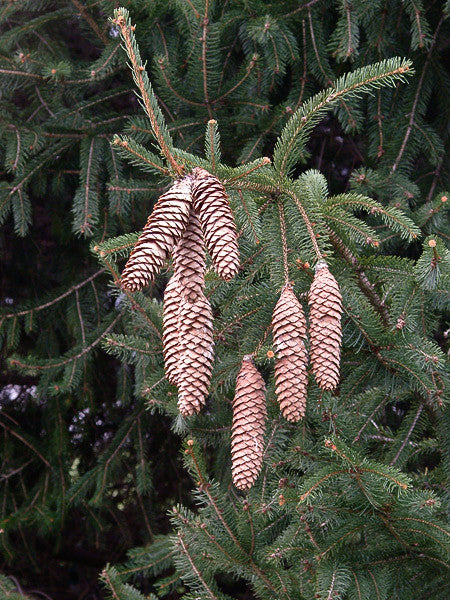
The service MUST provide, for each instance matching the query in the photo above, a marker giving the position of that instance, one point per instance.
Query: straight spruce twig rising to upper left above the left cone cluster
(121, 18)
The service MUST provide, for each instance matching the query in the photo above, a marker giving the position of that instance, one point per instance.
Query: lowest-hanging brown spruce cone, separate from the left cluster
(247, 432)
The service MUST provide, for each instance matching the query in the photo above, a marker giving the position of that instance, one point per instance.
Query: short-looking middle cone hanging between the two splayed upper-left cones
(189, 258)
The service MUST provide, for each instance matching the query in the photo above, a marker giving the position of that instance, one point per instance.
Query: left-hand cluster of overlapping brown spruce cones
(195, 211)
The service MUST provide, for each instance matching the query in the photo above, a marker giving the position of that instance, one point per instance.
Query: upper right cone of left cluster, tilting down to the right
(213, 208)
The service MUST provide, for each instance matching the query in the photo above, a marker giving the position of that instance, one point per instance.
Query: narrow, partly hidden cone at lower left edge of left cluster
(171, 331)
